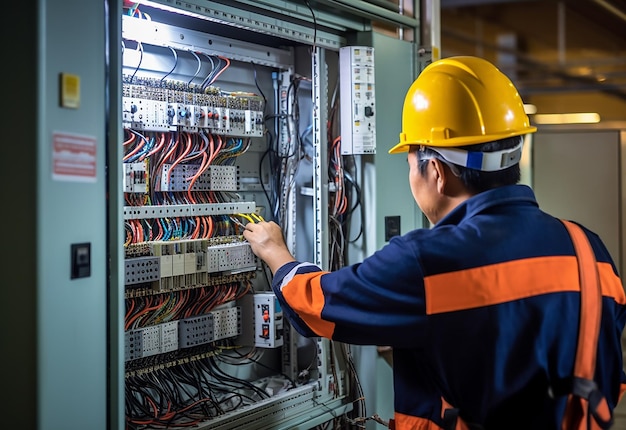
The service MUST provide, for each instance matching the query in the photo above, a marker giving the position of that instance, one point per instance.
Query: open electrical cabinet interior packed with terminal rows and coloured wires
(213, 131)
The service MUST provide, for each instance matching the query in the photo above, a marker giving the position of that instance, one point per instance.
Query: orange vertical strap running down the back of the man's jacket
(585, 400)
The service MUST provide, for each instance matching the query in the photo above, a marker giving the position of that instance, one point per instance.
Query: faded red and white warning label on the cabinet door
(73, 157)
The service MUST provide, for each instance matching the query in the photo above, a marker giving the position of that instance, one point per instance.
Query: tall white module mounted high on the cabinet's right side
(358, 102)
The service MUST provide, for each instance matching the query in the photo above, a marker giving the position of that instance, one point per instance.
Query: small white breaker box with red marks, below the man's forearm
(268, 321)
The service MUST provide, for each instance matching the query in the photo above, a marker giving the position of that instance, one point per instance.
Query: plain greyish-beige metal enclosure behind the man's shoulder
(577, 174)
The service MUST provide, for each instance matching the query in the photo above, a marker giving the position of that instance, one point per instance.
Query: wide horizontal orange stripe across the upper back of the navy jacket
(513, 280)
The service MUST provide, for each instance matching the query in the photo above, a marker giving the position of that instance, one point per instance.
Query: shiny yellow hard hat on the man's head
(459, 101)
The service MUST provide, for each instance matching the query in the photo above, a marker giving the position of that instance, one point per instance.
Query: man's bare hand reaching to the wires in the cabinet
(267, 243)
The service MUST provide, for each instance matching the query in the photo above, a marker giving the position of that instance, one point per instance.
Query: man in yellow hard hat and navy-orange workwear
(482, 310)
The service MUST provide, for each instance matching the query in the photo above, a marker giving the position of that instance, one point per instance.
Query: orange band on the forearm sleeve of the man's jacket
(304, 295)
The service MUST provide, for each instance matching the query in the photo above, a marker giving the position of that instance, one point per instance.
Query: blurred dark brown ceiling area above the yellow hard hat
(546, 47)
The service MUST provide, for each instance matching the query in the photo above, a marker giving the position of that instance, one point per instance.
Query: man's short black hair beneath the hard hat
(477, 181)
